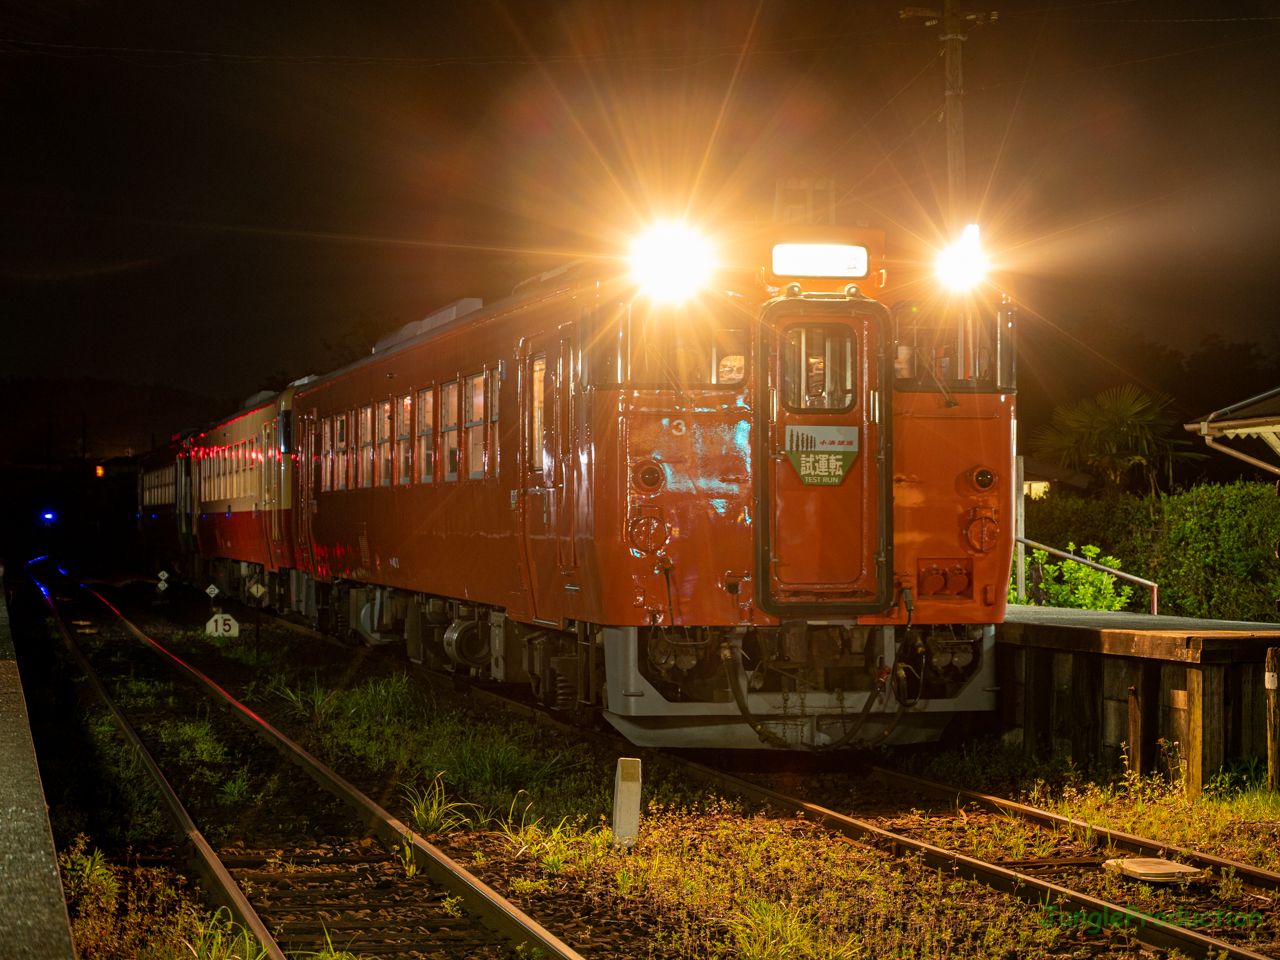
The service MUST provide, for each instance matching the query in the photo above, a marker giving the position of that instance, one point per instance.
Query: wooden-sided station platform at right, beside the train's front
(1173, 694)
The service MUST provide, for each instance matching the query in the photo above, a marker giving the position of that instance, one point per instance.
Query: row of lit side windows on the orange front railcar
(395, 442)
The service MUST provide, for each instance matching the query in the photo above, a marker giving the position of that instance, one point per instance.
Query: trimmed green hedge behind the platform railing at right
(1212, 548)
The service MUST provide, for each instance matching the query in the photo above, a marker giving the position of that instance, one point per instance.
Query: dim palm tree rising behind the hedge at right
(1113, 433)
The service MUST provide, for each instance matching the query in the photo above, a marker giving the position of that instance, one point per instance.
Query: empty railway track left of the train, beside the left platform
(396, 898)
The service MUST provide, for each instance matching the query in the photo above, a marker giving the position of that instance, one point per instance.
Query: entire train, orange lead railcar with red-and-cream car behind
(775, 513)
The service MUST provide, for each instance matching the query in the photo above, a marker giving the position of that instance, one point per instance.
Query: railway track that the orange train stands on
(1048, 881)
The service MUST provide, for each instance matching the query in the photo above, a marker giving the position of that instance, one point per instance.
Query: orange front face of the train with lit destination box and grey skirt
(836, 531)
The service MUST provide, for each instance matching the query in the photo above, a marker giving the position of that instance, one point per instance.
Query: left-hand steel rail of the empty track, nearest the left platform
(218, 881)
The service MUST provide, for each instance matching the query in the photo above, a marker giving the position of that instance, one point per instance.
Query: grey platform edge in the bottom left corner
(34, 922)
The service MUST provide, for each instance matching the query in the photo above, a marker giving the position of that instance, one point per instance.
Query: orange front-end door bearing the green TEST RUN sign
(824, 460)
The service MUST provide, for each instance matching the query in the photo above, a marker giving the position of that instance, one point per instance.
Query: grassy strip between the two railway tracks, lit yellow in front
(525, 807)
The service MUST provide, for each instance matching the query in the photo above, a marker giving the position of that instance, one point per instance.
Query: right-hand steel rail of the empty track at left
(490, 906)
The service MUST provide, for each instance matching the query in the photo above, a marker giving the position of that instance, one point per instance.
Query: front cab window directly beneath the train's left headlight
(702, 344)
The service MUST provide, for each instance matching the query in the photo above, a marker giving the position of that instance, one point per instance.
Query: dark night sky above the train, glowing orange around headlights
(214, 196)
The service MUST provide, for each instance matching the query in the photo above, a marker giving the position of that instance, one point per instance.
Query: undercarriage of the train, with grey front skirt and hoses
(798, 685)
